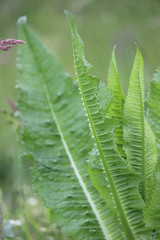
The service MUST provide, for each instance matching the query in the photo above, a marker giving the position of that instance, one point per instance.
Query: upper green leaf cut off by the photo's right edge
(153, 108)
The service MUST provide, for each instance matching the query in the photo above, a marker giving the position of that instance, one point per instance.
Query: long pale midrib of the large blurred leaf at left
(81, 182)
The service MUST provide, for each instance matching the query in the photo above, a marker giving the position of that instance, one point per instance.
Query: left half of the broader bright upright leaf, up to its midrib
(134, 133)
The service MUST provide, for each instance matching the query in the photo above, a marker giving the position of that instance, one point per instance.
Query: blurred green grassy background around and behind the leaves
(101, 24)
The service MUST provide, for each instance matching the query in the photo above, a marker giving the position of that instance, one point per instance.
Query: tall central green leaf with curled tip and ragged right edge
(122, 181)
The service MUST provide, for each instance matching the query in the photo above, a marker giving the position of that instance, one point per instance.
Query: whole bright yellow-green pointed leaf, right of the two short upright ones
(139, 140)
